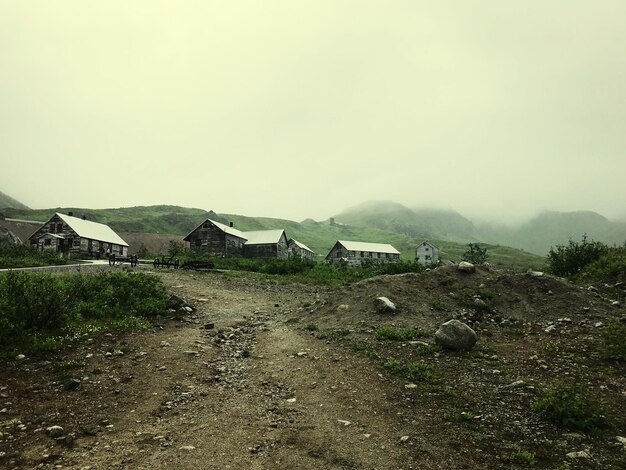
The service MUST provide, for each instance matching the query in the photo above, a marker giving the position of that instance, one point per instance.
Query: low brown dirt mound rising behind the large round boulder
(486, 296)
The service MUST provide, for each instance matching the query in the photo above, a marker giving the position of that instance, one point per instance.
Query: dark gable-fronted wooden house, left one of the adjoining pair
(216, 239)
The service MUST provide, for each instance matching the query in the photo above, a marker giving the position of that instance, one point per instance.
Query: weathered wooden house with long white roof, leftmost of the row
(67, 234)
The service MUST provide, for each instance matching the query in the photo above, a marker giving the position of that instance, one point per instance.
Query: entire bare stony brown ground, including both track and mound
(292, 376)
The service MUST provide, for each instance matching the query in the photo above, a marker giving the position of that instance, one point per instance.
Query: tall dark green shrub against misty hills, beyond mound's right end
(571, 259)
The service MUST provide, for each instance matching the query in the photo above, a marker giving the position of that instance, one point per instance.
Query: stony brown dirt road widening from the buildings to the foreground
(252, 392)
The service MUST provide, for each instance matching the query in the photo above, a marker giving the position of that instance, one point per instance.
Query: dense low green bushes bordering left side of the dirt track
(38, 311)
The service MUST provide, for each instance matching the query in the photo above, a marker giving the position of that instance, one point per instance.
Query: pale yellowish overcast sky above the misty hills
(300, 109)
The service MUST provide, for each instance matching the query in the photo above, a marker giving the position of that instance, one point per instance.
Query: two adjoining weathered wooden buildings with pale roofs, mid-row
(217, 239)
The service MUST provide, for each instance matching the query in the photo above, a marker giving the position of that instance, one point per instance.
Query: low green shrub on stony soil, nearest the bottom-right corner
(569, 406)
